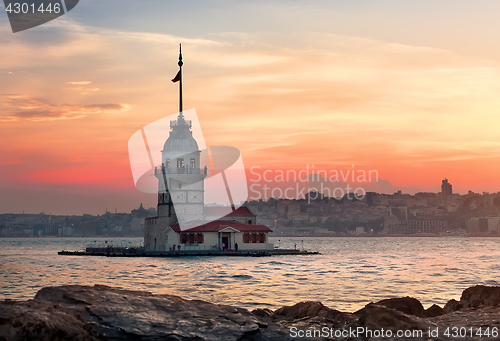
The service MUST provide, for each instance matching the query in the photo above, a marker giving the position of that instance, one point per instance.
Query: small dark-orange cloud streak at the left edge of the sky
(25, 107)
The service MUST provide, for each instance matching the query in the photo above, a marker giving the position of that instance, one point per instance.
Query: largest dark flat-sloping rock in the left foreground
(101, 312)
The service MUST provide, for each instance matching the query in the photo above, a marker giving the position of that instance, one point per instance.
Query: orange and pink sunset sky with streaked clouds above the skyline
(408, 88)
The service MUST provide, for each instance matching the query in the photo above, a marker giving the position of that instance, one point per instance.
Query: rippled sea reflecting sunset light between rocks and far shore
(349, 273)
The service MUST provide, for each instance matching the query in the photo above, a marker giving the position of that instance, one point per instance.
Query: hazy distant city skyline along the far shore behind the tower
(399, 213)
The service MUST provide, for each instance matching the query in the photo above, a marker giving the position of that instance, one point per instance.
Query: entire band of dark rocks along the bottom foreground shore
(105, 313)
